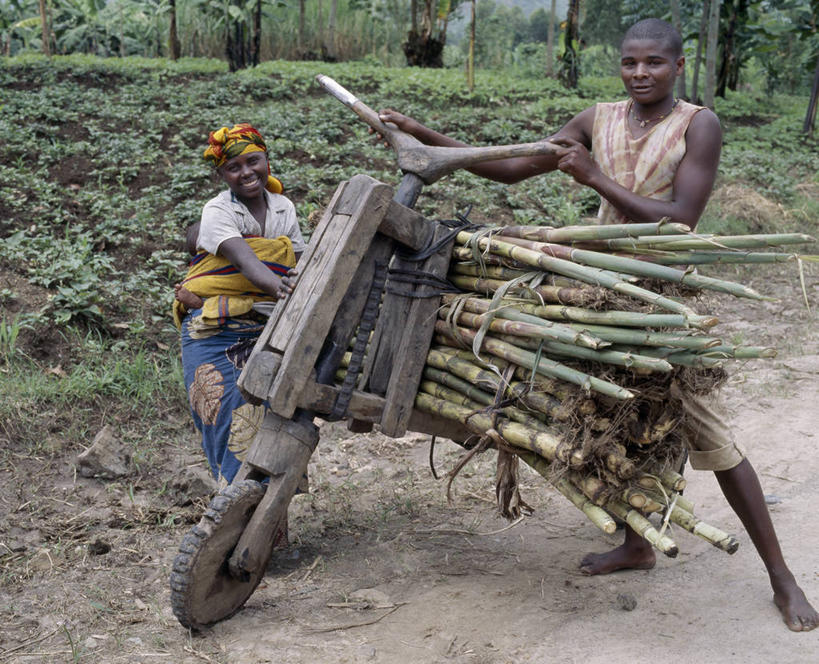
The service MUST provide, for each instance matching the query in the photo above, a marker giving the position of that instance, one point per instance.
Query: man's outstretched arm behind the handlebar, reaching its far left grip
(508, 171)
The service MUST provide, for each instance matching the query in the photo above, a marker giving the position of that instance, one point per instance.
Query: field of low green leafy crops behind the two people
(101, 172)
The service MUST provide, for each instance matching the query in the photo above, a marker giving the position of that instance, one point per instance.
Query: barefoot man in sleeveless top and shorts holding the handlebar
(655, 157)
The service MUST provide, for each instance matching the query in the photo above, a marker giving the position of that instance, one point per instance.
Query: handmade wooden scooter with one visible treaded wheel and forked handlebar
(371, 277)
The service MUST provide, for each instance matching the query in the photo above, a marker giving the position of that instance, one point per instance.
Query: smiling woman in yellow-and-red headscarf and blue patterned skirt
(247, 242)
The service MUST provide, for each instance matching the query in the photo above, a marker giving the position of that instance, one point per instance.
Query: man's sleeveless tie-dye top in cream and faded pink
(644, 165)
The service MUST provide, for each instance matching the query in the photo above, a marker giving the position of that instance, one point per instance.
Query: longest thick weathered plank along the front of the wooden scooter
(310, 310)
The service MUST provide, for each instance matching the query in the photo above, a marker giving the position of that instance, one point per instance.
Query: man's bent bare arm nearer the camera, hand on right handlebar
(692, 184)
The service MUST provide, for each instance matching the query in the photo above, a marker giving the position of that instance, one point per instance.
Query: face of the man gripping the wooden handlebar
(649, 69)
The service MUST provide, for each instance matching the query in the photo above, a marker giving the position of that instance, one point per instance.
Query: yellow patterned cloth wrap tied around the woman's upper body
(231, 294)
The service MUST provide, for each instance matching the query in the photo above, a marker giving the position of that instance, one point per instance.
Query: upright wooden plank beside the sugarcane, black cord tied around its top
(407, 360)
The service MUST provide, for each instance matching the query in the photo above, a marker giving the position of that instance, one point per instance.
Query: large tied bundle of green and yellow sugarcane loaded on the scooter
(563, 351)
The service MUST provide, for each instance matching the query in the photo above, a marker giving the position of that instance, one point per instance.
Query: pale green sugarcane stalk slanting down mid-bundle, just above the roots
(526, 358)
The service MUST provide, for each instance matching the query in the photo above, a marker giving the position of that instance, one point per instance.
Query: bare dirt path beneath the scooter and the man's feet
(382, 570)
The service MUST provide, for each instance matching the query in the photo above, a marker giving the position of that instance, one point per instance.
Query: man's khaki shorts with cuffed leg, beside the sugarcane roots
(711, 444)
